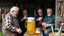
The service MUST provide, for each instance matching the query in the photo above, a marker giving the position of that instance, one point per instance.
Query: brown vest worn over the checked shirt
(14, 23)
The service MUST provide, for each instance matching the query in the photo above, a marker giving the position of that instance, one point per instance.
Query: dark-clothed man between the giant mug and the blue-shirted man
(39, 18)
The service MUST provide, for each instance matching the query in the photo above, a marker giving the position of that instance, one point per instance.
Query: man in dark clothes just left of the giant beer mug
(22, 20)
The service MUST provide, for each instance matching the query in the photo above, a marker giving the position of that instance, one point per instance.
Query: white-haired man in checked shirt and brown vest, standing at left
(11, 23)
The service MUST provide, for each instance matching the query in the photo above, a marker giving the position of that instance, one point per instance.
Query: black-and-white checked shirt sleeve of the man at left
(9, 23)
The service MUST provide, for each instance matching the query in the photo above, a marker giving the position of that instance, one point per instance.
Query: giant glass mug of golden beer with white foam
(30, 25)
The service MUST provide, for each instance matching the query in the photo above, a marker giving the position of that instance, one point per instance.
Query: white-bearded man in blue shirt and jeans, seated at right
(49, 21)
